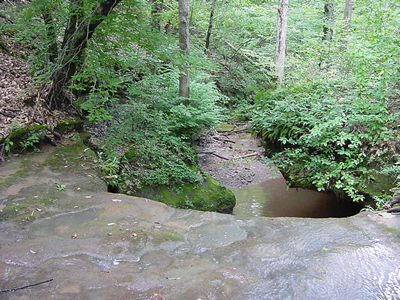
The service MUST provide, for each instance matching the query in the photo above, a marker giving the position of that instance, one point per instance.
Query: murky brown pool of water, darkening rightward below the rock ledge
(272, 198)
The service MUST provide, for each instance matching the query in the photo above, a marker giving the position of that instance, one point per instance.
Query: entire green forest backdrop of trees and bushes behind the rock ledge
(318, 81)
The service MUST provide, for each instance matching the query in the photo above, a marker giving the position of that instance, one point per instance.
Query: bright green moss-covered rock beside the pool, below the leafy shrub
(209, 196)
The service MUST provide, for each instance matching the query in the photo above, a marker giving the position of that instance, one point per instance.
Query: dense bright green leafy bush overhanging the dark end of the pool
(330, 135)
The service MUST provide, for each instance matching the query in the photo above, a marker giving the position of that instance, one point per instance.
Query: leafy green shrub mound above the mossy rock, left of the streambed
(149, 140)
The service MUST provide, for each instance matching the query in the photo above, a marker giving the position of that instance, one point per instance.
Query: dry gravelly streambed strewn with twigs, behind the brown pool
(233, 156)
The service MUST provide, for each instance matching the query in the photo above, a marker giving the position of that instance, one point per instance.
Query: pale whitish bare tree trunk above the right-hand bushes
(281, 40)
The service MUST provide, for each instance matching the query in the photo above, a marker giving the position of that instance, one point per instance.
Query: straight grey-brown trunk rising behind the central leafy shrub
(184, 45)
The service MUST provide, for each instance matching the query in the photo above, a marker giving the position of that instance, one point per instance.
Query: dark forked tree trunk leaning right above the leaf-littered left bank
(74, 43)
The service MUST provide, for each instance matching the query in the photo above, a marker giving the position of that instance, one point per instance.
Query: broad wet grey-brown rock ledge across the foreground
(97, 245)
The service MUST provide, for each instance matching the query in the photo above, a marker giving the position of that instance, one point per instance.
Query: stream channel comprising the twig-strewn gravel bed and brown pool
(233, 157)
